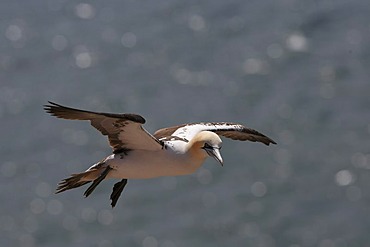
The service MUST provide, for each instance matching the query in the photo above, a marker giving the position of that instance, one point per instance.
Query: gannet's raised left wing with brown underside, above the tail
(124, 131)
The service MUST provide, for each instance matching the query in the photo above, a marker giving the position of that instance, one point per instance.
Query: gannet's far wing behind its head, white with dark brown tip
(229, 130)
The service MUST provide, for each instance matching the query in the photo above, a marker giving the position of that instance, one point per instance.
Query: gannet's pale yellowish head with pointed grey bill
(207, 143)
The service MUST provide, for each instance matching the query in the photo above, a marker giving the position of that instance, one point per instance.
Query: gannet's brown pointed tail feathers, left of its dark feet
(77, 180)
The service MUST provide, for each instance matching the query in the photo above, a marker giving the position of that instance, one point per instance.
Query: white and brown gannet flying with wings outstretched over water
(173, 151)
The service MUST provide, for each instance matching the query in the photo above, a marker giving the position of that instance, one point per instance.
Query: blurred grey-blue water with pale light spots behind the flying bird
(298, 71)
